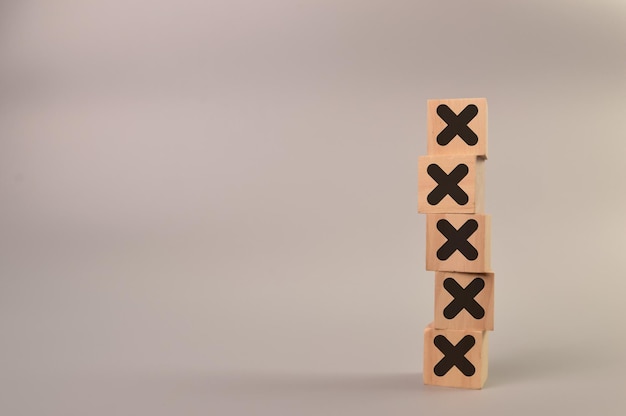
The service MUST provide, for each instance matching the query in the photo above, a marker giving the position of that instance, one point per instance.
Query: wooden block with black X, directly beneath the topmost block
(450, 184)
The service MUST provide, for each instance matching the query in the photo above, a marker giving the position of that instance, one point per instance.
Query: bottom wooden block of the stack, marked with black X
(455, 358)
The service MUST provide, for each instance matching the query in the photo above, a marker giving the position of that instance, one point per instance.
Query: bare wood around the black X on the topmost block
(478, 124)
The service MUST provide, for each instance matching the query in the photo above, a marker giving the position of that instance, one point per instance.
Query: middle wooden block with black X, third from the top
(458, 243)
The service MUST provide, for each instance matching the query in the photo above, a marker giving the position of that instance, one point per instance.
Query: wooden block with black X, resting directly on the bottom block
(464, 301)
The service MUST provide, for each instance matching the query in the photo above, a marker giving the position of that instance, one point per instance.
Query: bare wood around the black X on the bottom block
(477, 356)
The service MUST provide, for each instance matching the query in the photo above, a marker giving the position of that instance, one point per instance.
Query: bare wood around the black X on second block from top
(473, 184)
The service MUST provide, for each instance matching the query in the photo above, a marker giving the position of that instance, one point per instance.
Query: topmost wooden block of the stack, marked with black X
(457, 127)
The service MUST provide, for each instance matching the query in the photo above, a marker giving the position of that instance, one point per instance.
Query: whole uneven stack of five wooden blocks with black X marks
(458, 243)
